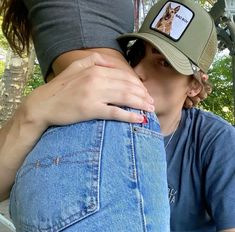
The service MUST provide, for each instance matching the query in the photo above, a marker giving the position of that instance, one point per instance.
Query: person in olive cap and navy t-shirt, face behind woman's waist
(200, 146)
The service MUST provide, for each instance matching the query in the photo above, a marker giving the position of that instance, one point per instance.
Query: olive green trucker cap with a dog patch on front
(182, 31)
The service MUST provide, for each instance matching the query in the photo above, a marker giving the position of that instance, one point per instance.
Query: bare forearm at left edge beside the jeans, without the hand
(16, 138)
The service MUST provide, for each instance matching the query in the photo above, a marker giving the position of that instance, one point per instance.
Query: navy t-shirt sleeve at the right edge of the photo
(219, 170)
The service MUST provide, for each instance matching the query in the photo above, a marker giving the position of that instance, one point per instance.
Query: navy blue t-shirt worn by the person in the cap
(201, 173)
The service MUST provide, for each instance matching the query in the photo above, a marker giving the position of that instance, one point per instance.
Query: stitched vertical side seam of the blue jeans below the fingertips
(137, 180)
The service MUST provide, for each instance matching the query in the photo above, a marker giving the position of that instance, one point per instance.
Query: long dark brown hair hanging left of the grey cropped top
(15, 25)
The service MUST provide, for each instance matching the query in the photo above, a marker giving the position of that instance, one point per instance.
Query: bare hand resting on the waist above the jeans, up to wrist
(90, 88)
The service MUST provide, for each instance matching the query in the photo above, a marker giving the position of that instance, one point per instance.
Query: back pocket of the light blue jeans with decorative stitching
(58, 184)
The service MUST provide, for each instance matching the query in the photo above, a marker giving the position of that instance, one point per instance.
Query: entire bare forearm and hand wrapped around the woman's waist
(89, 88)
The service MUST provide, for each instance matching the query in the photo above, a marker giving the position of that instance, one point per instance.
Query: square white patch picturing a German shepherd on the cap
(172, 20)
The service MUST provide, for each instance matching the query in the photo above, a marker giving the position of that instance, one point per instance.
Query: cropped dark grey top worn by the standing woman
(59, 26)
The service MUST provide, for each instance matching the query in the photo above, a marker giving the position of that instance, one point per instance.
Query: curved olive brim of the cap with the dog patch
(176, 58)
